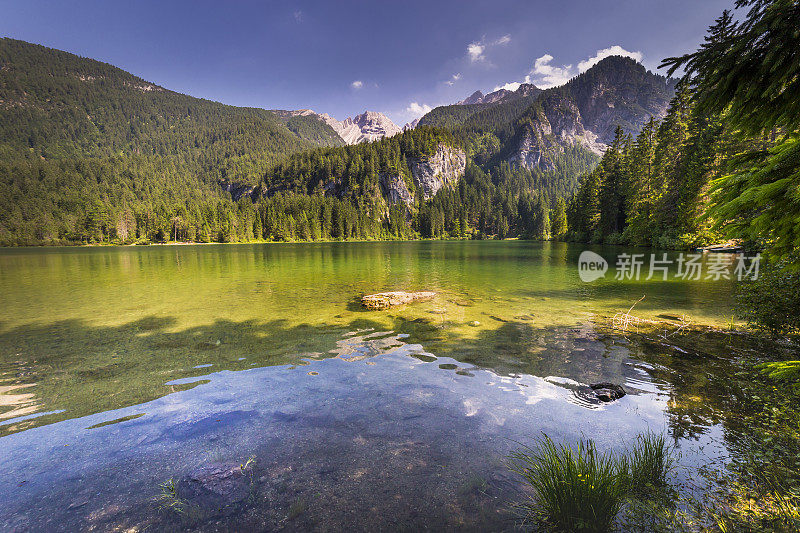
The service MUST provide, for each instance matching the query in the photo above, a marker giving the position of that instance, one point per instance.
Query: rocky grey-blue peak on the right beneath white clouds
(533, 127)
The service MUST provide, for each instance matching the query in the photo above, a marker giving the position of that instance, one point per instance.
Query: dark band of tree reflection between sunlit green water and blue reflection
(85, 369)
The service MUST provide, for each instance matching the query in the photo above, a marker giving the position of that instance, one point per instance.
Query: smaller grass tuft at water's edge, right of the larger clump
(649, 463)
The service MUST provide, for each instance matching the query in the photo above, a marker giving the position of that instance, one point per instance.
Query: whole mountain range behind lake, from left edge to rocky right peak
(90, 153)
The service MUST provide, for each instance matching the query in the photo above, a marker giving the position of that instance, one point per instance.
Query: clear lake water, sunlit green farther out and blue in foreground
(121, 368)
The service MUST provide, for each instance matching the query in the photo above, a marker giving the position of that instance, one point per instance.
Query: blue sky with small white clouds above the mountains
(342, 57)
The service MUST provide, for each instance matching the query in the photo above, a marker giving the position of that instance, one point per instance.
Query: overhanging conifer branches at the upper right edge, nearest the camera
(748, 71)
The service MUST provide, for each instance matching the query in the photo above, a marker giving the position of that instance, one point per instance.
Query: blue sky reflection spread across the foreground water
(375, 389)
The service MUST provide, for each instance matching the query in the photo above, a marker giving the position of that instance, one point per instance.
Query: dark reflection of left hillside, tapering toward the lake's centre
(87, 369)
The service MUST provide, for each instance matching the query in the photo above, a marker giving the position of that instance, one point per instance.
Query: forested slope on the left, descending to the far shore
(91, 153)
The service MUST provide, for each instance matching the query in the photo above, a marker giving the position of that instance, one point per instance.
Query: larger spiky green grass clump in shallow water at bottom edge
(574, 489)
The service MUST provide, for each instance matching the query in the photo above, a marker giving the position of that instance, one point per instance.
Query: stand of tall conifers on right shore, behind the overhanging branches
(653, 190)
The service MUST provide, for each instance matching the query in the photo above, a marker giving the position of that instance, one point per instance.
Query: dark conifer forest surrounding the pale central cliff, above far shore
(500, 201)
